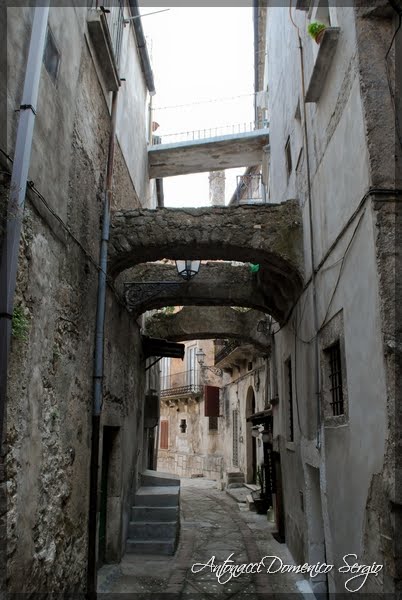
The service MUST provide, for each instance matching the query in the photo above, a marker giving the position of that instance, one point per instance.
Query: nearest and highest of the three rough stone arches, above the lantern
(270, 235)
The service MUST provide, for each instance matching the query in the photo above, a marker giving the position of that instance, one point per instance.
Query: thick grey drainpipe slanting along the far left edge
(19, 176)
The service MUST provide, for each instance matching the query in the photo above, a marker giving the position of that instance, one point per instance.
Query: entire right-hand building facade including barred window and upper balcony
(329, 147)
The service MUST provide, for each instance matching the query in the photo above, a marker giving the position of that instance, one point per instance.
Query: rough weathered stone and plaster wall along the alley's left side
(50, 379)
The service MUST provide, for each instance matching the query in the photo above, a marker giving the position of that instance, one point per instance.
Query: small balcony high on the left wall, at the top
(105, 26)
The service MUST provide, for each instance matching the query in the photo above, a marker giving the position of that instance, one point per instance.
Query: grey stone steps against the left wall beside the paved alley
(155, 517)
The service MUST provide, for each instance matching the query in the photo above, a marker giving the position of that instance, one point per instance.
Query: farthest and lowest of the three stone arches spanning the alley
(208, 323)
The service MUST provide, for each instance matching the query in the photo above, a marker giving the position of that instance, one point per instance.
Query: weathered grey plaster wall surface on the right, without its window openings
(341, 480)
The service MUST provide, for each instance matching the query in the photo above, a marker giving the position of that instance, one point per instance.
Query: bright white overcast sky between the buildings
(200, 54)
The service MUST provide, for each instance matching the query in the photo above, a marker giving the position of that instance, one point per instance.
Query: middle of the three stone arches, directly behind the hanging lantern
(217, 284)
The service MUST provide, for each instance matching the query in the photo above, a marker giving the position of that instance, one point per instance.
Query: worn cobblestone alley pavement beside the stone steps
(212, 524)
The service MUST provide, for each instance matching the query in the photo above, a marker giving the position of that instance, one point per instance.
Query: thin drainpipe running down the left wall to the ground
(98, 362)
